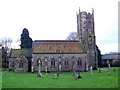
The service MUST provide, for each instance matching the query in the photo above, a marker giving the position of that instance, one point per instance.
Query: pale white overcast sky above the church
(55, 19)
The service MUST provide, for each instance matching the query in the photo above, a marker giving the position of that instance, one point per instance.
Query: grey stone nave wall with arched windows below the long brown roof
(69, 62)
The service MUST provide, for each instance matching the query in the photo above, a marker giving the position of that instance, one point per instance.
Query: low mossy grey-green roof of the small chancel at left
(21, 52)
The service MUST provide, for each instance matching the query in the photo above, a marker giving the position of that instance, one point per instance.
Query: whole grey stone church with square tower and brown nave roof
(60, 55)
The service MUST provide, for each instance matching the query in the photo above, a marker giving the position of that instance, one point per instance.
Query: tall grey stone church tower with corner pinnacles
(86, 34)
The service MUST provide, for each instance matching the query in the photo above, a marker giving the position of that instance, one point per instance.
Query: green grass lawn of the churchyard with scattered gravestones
(65, 80)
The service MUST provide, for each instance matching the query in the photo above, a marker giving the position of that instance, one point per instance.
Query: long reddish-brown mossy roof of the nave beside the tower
(57, 46)
